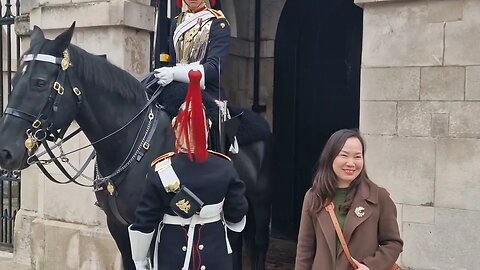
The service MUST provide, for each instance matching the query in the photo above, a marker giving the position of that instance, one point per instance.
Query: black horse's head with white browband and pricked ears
(42, 100)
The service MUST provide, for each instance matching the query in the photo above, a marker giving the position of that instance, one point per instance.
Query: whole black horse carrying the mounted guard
(58, 83)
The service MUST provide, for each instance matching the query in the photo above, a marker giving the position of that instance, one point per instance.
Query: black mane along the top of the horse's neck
(98, 71)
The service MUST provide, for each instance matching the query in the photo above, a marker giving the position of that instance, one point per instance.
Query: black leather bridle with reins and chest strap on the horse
(43, 129)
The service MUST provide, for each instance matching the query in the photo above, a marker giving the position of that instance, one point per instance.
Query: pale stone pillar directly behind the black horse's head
(58, 226)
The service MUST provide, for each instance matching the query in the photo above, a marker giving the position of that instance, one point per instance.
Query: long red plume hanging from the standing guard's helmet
(191, 121)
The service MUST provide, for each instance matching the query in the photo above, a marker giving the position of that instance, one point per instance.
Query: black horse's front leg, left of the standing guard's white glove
(120, 235)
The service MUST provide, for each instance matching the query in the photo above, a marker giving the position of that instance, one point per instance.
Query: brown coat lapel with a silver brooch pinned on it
(364, 198)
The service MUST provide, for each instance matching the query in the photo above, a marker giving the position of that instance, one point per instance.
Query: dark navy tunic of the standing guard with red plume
(212, 181)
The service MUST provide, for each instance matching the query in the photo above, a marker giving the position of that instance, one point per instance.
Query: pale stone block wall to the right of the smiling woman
(420, 100)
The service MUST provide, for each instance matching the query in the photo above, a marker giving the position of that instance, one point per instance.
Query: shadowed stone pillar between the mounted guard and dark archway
(238, 76)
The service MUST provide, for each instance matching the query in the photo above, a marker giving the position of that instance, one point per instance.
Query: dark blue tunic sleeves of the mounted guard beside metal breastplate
(215, 57)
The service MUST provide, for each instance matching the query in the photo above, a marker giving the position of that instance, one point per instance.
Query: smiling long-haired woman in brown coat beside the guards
(365, 212)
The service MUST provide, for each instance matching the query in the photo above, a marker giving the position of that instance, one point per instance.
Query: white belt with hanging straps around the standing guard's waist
(209, 214)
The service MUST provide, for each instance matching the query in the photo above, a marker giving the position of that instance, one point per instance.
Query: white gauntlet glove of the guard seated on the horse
(178, 73)
